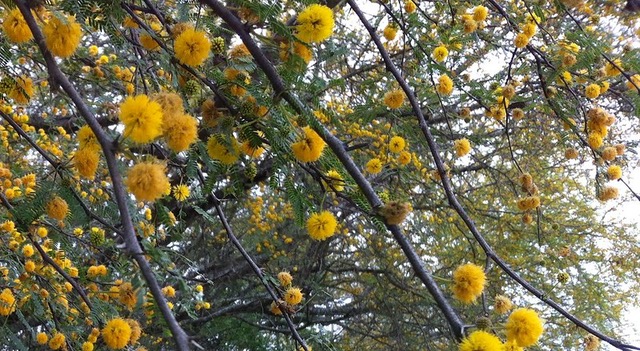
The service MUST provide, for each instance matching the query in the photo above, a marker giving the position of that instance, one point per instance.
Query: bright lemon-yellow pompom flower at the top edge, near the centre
(314, 24)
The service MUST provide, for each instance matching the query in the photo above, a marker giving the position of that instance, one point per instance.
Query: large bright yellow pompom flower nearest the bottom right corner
(524, 326)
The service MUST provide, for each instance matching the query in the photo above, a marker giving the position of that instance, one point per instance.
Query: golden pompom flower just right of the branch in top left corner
(62, 36)
